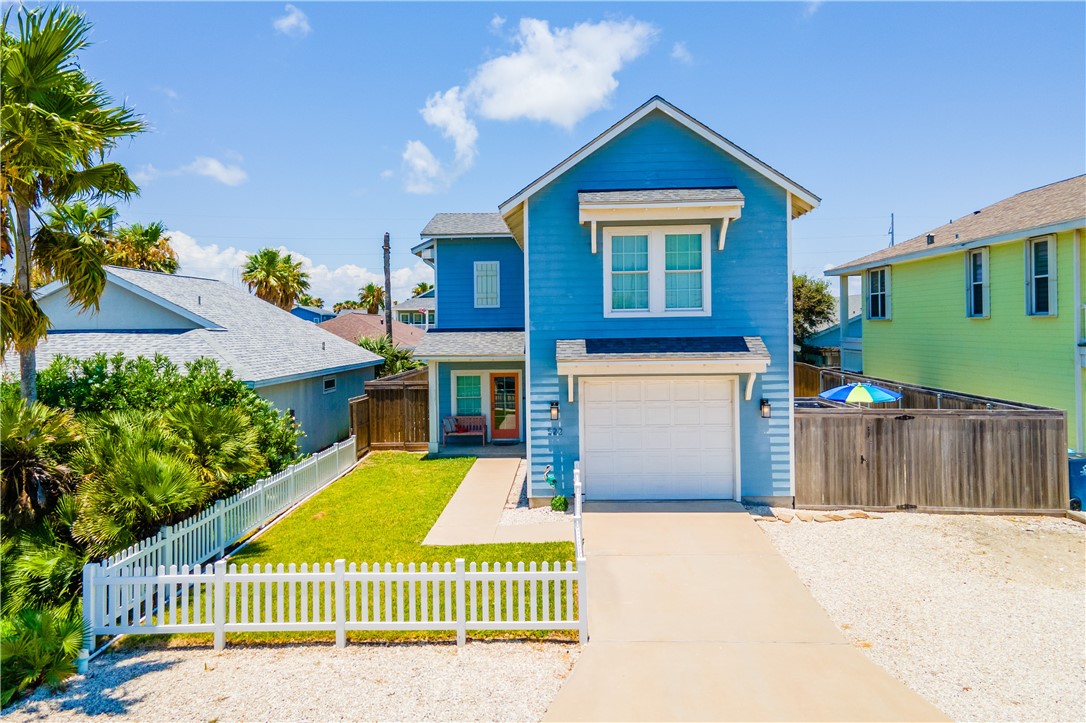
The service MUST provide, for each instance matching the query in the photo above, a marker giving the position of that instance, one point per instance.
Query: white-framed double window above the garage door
(656, 272)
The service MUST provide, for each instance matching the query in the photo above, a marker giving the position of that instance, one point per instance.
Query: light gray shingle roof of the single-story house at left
(259, 341)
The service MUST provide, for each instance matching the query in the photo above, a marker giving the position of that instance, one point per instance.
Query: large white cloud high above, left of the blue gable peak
(557, 75)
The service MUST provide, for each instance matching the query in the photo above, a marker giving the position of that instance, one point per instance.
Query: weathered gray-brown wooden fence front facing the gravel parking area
(933, 461)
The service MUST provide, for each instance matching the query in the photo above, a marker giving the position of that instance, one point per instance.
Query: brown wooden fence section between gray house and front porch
(396, 412)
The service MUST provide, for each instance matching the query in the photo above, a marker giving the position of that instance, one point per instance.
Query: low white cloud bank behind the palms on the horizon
(332, 285)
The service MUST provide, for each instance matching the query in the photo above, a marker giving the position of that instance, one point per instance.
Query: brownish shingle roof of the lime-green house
(1051, 205)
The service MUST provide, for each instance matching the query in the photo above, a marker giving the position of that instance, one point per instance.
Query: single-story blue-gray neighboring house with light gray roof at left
(293, 363)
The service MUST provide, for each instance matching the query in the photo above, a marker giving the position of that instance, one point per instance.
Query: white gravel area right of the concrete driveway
(983, 616)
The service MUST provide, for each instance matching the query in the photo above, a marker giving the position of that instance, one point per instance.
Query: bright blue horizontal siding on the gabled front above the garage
(751, 288)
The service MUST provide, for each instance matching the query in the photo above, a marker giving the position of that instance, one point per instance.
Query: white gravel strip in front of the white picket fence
(502, 681)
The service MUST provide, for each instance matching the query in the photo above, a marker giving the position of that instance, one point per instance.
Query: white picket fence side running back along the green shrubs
(208, 535)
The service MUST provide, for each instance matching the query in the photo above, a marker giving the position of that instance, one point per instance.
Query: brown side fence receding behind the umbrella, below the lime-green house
(811, 380)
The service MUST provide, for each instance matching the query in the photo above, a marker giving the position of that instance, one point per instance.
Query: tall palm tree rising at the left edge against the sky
(58, 126)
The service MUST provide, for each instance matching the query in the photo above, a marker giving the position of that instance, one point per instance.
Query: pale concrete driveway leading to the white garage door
(693, 616)
